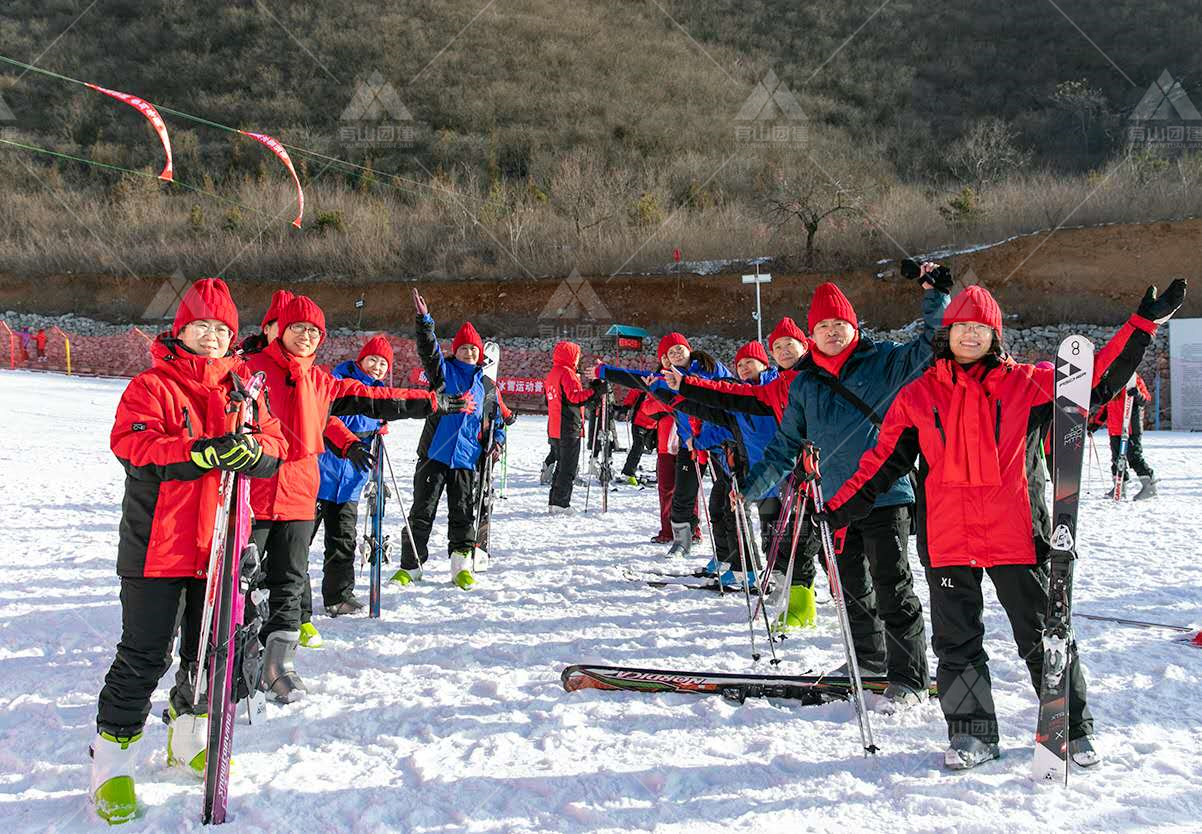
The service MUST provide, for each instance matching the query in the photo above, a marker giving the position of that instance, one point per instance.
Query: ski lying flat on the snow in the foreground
(810, 689)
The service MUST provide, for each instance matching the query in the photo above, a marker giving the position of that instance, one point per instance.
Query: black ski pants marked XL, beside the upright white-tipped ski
(959, 640)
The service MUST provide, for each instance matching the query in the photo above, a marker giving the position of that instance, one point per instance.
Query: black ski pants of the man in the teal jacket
(883, 610)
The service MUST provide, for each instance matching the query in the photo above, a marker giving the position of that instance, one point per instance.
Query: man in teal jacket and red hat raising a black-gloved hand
(847, 366)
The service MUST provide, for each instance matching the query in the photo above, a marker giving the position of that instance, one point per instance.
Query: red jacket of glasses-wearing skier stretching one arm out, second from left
(305, 398)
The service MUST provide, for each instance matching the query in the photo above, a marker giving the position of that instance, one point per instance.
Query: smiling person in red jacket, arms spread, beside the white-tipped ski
(977, 419)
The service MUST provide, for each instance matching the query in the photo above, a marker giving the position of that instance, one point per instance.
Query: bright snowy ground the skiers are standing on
(448, 714)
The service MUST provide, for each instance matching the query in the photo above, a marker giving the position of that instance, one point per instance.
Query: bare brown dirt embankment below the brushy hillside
(1079, 275)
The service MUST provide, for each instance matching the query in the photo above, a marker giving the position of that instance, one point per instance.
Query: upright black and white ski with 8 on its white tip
(1074, 383)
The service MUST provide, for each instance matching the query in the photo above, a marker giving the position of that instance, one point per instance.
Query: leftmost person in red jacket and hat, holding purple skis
(175, 437)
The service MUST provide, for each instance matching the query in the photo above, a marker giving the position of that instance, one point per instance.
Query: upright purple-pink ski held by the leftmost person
(237, 569)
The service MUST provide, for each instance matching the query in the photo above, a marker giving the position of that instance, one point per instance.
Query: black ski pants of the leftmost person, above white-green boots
(152, 609)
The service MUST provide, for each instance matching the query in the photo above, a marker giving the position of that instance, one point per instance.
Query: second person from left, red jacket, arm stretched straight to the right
(304, 396)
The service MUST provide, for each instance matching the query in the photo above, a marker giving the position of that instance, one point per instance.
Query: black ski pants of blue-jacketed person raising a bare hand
(431, 480)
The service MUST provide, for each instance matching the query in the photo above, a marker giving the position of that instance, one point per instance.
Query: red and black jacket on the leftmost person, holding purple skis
(170, 504)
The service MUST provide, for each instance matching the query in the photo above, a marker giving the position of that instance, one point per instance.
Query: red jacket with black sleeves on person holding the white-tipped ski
(972, 509)
